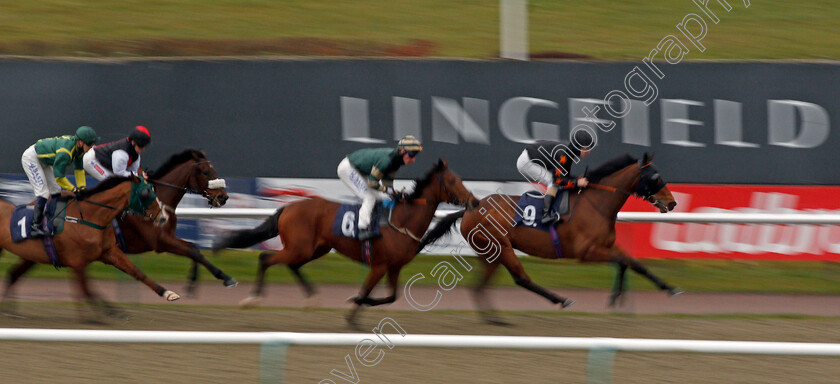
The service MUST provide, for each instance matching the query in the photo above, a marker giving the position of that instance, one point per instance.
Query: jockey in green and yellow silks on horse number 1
(44, 163)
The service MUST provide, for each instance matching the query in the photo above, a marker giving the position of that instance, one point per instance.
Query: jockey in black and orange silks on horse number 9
(549, 163)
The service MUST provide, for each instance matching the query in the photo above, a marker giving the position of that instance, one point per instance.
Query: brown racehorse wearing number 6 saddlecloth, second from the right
(306, 230)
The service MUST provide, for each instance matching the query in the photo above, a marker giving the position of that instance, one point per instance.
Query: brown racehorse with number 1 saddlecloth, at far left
(84, 240)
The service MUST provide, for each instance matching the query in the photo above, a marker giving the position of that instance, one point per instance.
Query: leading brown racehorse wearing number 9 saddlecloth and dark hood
(587, 232)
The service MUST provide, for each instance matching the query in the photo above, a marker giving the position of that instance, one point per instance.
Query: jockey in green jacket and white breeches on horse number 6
(370, 172)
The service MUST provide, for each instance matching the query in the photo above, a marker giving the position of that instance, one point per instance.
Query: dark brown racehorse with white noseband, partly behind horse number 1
(185, 171)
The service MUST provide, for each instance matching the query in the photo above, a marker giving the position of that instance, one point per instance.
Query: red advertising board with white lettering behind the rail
(737, 241)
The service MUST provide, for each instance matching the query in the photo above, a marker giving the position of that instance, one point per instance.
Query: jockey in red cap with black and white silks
(118, 158)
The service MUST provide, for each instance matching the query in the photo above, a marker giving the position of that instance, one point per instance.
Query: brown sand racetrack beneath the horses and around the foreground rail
(25, 362)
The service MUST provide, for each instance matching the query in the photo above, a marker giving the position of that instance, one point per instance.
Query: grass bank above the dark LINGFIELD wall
(601, 29)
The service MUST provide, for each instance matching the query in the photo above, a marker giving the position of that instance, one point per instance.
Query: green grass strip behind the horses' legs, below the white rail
(693, 275)
